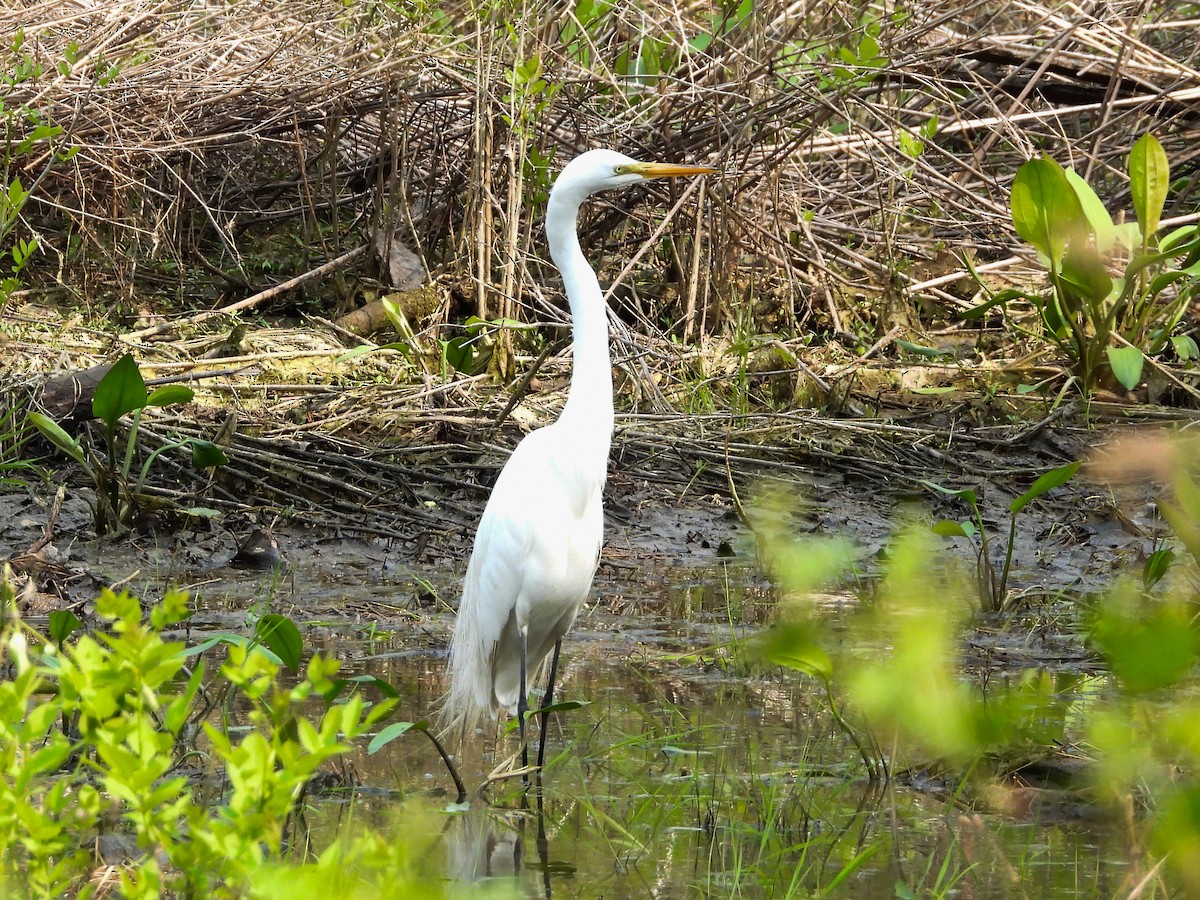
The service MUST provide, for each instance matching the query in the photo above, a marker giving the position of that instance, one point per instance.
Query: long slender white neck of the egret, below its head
(590, 400)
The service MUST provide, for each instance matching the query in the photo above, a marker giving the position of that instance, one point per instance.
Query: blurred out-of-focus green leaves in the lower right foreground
(897, 673)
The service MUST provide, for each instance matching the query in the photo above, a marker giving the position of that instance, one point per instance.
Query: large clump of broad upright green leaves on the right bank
(1106, 326)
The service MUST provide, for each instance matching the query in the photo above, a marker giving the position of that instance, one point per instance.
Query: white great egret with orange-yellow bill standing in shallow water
(538, 543)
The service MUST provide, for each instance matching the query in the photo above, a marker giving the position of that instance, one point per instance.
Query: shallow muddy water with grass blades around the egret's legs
(693, 771)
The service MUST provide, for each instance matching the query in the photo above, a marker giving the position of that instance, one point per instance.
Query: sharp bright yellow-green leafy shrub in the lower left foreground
(94, 735)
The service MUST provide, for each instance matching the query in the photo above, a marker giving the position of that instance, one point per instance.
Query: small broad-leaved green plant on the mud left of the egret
(118, 493)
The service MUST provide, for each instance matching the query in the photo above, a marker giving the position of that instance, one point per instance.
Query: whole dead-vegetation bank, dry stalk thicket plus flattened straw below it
(224, 149)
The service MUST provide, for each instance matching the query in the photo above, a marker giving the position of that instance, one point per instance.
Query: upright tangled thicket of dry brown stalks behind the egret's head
(201, 125)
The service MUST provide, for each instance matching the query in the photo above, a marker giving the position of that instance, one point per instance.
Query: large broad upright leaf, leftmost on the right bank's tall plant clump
(1046, 209)
